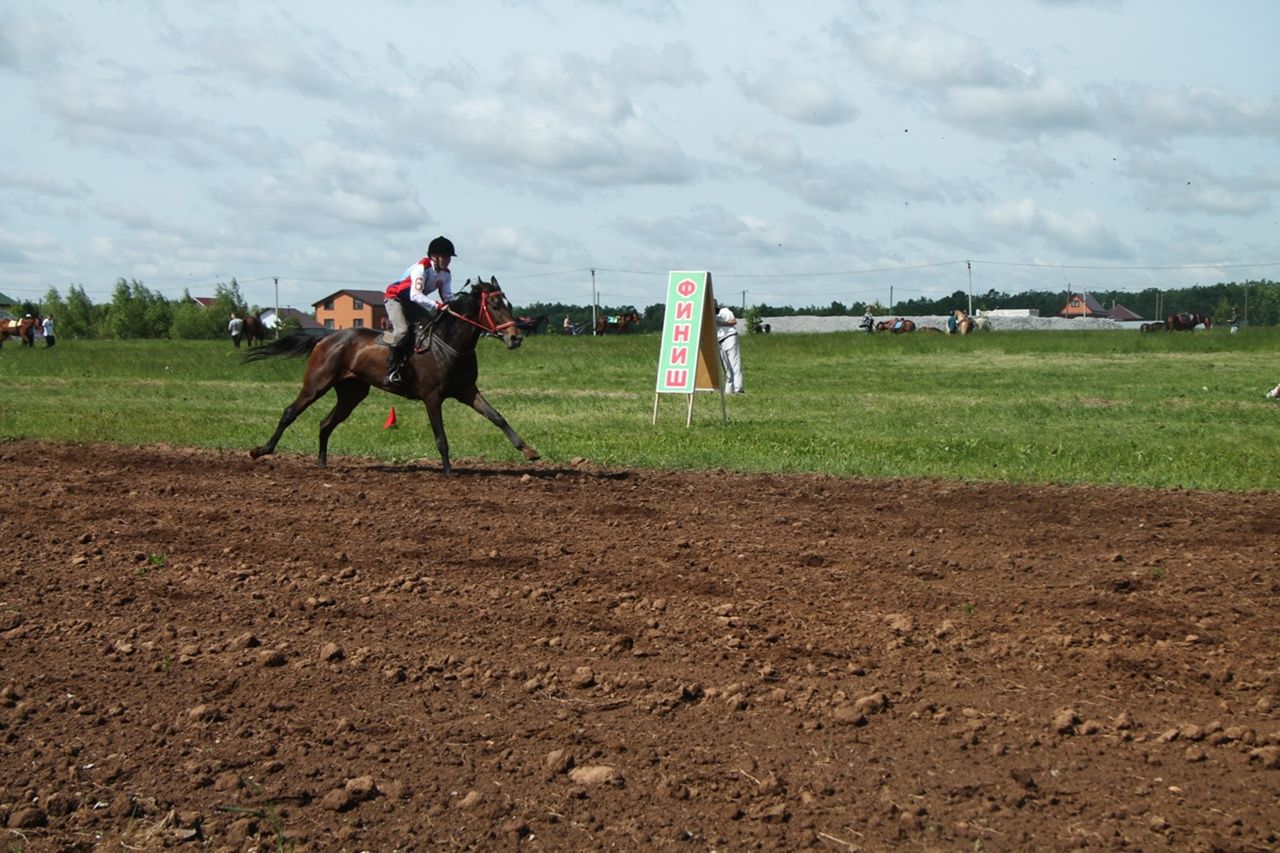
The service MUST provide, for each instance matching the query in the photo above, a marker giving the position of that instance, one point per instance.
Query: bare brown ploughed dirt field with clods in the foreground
(204, 651)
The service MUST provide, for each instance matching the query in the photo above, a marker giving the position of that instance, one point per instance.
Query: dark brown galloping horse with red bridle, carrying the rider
(351, 362)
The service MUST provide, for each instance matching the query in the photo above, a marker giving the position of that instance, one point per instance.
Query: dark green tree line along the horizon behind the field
(136, 312)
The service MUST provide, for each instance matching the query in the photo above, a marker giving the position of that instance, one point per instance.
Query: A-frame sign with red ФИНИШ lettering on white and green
(689, 359)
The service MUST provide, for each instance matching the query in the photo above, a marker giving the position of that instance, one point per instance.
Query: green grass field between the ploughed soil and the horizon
(1105, 408)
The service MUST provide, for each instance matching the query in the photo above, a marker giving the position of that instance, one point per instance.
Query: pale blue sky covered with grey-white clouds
(803, 152)
